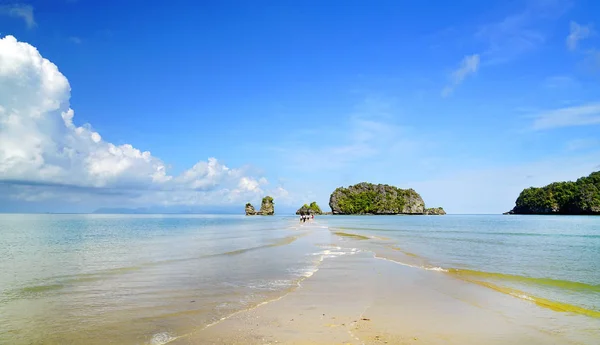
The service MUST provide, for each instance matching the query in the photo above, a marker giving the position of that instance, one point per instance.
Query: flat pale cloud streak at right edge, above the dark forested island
(587, 114)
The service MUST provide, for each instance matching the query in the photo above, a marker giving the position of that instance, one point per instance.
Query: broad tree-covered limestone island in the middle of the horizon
(379, 199)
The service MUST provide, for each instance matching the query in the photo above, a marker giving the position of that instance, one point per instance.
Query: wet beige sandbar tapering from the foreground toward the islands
(360, 299)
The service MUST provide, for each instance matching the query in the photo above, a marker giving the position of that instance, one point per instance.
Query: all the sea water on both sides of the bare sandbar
(146, 279)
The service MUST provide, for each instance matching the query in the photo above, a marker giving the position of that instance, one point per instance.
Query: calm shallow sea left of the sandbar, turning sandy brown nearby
(139, 279)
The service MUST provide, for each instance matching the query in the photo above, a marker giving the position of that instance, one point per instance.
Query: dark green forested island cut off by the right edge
(581, 197)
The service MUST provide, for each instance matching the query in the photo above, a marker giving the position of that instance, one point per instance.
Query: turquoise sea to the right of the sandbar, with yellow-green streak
(544, 257)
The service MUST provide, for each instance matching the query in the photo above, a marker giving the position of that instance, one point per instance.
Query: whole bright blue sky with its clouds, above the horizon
(196, 105)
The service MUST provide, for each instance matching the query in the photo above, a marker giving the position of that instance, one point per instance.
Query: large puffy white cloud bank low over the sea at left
(41, 146)
